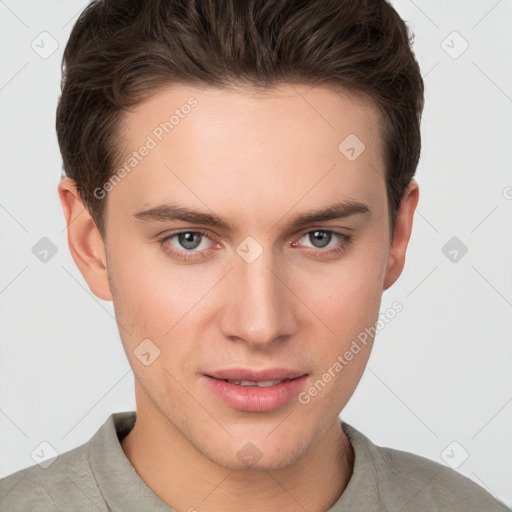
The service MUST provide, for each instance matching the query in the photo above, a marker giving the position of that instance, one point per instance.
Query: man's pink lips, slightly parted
(252, 398)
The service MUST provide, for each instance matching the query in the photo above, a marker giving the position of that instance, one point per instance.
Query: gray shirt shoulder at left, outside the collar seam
(66, 484)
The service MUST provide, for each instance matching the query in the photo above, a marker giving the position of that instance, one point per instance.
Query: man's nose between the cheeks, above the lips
(259, 307)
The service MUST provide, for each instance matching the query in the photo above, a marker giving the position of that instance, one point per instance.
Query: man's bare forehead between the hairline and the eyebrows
(253, 149)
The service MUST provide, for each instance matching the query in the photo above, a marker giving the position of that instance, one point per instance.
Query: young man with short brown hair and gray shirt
(239, 182)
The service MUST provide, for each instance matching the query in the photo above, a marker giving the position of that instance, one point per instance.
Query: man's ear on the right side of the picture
(401, 234)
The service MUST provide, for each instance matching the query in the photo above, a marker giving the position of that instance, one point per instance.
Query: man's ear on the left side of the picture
(84, 240)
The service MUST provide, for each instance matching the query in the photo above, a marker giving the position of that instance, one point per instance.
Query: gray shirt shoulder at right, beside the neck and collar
(410, 482)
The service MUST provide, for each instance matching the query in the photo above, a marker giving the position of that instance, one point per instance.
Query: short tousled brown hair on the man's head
(120, 52)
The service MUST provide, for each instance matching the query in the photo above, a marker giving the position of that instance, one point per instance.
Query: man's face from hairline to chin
(213, 261)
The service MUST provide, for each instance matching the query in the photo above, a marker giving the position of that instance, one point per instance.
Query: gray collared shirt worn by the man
(97, 476)
